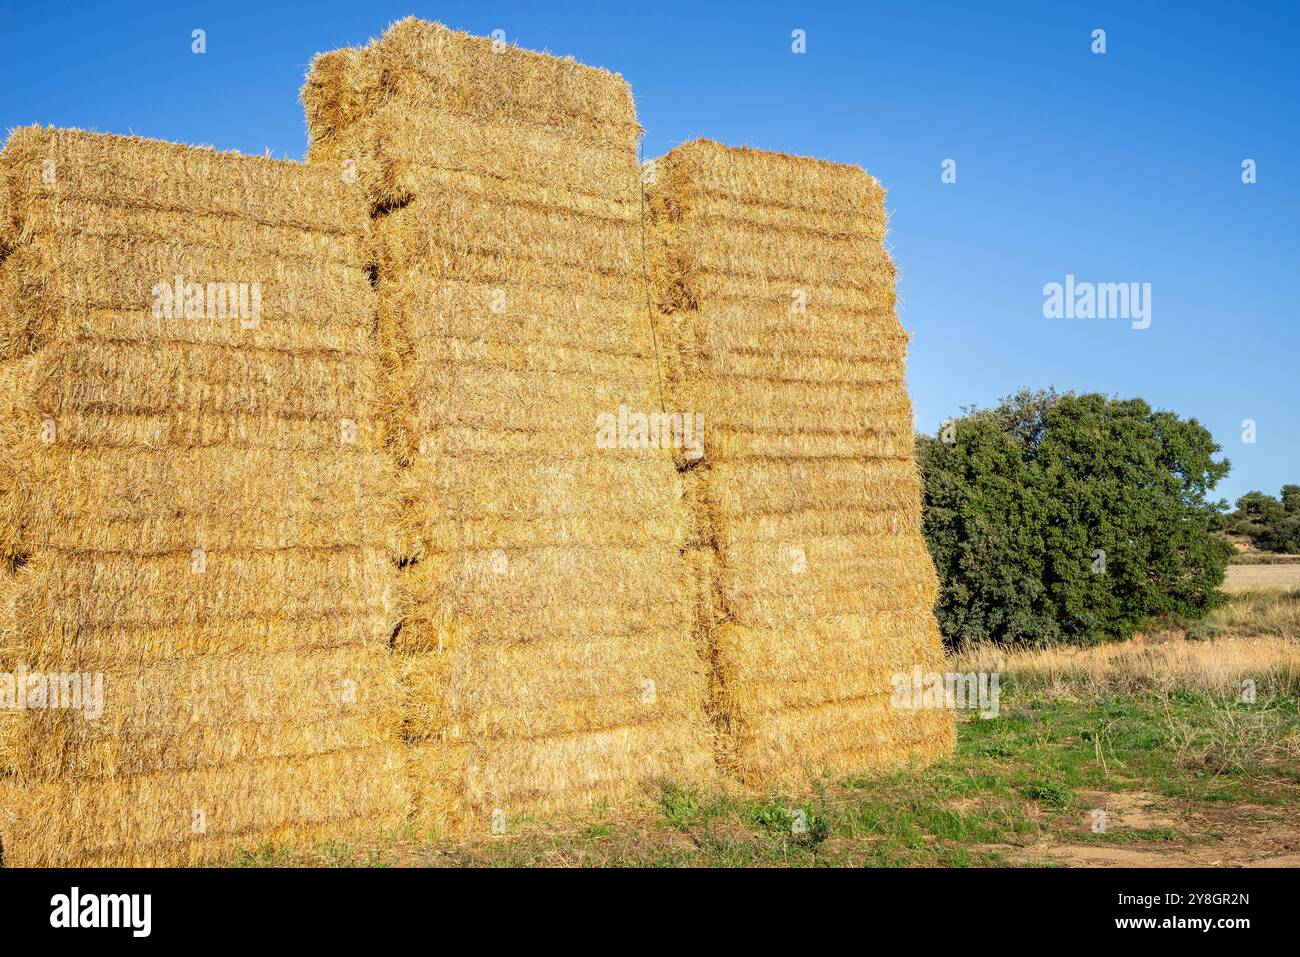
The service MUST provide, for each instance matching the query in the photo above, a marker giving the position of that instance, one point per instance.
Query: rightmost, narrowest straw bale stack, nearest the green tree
(778, 297)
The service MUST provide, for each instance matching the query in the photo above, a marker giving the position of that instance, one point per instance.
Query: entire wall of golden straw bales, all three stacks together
(306, 462)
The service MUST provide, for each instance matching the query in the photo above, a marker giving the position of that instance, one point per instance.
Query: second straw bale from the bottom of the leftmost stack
(205, 712)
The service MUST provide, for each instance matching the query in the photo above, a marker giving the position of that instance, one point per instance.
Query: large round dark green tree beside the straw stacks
(1071, 518)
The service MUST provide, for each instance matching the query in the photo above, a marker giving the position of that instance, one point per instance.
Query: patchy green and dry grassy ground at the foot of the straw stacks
(1152, 734)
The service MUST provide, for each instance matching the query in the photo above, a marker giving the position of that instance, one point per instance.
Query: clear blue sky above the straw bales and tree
(1124, 167)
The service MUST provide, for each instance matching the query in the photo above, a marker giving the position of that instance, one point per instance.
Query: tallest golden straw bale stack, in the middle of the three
(548, 644)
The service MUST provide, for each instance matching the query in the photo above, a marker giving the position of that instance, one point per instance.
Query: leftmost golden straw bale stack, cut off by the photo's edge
(196, 503)
